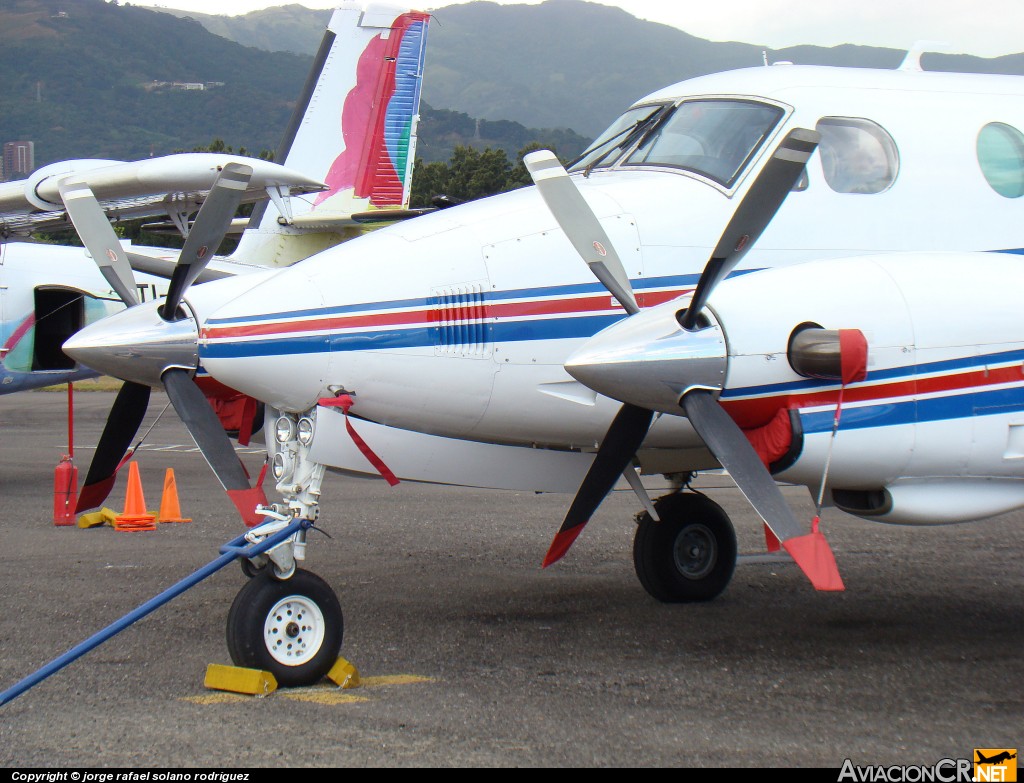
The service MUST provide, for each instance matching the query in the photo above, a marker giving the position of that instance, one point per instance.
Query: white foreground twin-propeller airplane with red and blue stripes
(862, 339)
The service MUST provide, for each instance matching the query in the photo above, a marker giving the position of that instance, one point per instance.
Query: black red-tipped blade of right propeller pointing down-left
(624, 438)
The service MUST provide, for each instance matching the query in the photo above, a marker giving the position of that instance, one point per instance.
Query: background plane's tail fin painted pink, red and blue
(354, 128)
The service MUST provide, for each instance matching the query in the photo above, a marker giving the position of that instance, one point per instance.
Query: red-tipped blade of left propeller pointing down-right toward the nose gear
(209, 436)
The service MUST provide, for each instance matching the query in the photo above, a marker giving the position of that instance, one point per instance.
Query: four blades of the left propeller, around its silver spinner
(130, 408)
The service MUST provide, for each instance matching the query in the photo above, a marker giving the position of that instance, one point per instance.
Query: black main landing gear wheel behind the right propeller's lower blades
(690, 555)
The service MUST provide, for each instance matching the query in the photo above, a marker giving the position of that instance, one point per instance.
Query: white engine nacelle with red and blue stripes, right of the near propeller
(934, 433)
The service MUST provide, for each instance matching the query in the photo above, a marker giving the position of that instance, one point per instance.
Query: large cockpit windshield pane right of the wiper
(714, 139)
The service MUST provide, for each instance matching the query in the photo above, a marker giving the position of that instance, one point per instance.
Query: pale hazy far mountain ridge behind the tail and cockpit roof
(573, 64)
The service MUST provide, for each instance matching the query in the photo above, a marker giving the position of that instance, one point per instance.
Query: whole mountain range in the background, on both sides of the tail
(81, 78)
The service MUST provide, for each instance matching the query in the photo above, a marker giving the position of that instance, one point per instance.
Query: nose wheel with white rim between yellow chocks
(291, 629)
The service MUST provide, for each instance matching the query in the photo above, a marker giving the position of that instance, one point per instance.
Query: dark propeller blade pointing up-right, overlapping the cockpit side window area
(754, 214)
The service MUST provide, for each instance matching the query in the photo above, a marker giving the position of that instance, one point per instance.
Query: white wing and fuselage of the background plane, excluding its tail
(50, 292)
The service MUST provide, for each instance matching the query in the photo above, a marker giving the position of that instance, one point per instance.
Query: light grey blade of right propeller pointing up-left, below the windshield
(581, 226)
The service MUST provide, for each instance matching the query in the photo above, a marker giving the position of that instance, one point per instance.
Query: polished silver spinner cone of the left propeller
(138, 344)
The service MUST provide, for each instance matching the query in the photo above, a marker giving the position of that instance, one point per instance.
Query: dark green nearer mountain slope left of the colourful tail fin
(80, 82)
